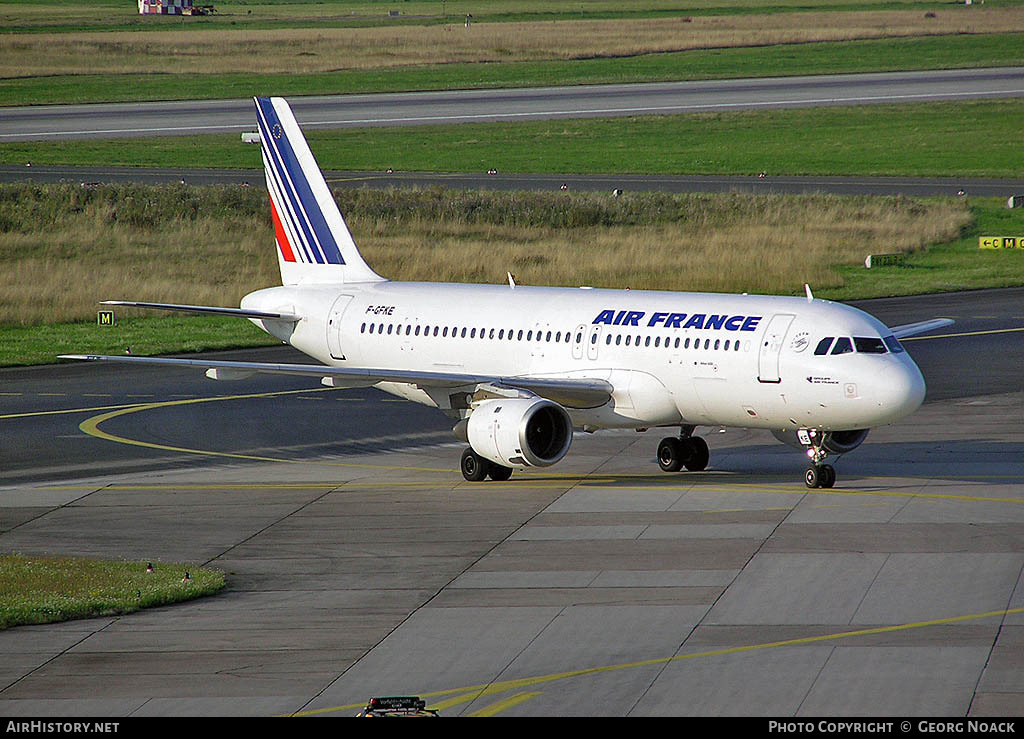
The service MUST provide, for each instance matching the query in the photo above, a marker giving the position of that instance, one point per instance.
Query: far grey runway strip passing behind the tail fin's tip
(192, 117)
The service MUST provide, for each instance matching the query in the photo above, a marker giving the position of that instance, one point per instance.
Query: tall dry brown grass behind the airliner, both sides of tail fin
(701, 243)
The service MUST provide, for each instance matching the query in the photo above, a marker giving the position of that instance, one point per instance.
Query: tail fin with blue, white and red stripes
(314, 242)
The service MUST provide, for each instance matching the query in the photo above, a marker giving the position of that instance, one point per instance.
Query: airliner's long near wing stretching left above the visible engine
(574, 393)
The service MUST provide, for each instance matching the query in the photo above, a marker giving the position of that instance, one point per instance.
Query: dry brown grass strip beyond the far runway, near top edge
(306, 51)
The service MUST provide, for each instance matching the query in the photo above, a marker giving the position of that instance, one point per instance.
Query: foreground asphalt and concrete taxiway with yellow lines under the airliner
(360, 562)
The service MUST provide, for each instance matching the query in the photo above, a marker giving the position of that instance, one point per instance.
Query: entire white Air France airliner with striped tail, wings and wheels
(521, 369)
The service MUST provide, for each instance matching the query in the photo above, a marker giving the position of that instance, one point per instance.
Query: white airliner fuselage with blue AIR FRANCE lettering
(673, 359)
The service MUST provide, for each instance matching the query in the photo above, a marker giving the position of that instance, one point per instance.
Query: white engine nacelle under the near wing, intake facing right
(521, 432)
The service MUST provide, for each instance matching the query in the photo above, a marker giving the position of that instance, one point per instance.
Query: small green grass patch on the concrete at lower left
(47, 590)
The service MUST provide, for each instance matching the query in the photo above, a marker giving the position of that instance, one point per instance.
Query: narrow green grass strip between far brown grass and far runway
(780, 61)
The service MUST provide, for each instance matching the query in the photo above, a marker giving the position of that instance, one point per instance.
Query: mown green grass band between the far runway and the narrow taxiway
(955, 140)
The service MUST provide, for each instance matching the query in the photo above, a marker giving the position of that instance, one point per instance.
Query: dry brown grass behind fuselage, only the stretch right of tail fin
(774, 250)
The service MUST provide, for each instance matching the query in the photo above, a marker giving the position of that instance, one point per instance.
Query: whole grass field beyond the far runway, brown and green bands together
(202, 60)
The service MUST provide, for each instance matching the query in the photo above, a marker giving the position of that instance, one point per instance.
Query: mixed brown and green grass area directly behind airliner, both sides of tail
(212, 245)
